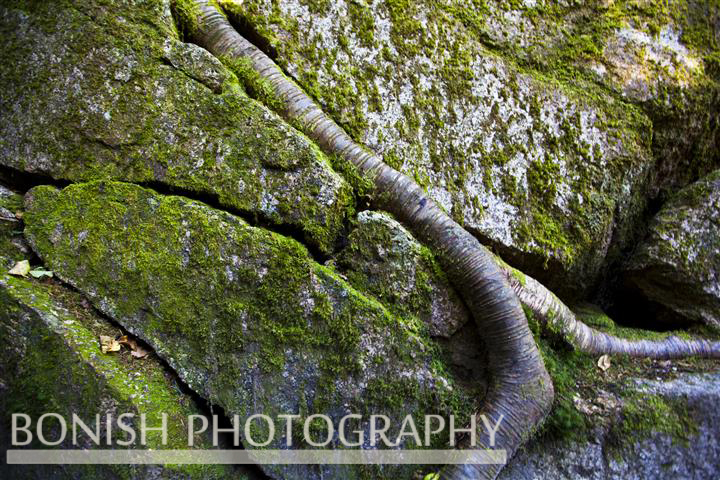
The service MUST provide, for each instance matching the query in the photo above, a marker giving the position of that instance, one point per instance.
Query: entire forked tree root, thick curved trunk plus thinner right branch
(521, 389)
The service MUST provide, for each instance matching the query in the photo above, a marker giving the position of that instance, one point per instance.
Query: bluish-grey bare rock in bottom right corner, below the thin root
(691, 454)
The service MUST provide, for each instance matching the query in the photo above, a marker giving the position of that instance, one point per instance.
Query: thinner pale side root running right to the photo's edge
(557, 317)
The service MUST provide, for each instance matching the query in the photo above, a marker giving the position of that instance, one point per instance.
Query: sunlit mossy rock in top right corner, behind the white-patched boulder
(662, 56)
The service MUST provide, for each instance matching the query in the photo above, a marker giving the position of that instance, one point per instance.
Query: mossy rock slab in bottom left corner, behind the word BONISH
(51, 362)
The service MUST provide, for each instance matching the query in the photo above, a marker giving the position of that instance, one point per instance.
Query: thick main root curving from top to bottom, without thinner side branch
(521, 390)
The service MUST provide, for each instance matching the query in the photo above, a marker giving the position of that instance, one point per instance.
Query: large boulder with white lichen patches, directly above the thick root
(551, 173)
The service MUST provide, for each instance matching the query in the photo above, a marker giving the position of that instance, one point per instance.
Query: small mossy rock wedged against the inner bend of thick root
(382, 259)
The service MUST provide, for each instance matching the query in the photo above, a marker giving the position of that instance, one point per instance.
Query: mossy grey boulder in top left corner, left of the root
(106, 90)
